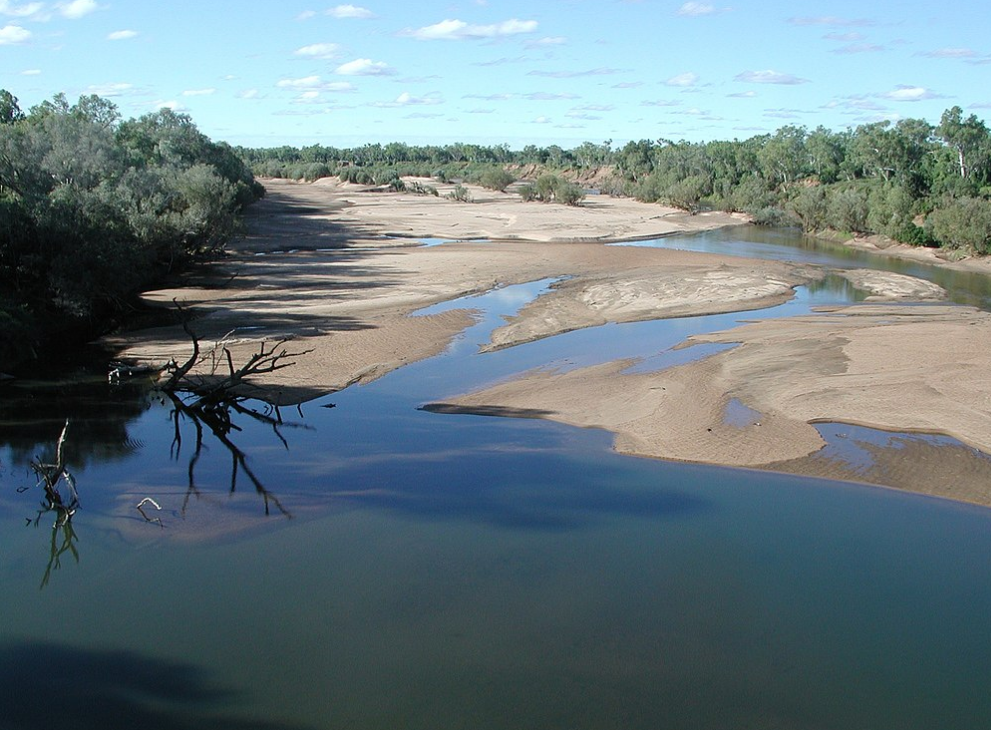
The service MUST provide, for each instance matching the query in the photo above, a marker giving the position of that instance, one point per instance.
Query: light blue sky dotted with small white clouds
(267, 73)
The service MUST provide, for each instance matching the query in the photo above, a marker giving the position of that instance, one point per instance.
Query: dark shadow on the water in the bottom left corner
(56, 686)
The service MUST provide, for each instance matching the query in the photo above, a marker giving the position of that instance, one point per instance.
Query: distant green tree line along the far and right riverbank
(913, 181)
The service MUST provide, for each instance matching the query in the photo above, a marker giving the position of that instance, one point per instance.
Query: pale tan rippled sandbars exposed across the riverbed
(332, 268)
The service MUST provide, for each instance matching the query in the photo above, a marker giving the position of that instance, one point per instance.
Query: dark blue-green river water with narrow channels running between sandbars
(420, 570)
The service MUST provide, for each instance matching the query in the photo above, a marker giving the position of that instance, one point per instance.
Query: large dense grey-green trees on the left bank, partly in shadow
(95, 208)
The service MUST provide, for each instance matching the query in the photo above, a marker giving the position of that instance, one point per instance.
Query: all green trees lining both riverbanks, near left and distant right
(95, 208)
